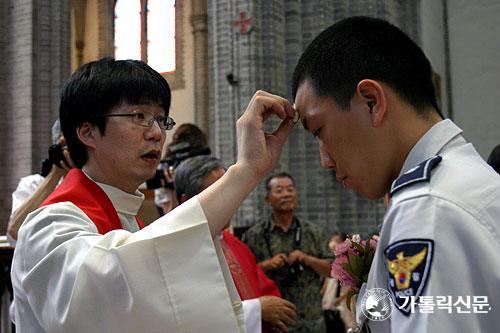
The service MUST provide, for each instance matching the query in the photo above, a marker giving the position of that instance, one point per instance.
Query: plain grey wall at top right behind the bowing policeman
(474, 53)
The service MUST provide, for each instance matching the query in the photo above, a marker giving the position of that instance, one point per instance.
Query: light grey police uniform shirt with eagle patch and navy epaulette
(440, 240)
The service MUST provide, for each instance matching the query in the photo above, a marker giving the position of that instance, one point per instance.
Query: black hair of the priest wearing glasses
(96, 87)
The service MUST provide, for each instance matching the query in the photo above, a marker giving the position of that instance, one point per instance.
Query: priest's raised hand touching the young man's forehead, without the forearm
(258, 151)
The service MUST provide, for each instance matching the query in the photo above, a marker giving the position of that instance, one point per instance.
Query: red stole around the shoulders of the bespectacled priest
(90, 198)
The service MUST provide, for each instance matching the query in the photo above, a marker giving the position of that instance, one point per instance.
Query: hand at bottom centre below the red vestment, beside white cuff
(277, 311)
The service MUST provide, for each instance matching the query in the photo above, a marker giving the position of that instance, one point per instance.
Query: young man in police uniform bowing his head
(365, 90)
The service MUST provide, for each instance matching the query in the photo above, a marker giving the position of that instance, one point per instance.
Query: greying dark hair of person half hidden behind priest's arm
(189, 175)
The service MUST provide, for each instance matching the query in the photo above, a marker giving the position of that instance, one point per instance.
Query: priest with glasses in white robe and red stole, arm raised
(85, 263)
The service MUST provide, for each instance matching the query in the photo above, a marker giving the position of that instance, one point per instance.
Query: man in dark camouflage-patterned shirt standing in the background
(291, 252)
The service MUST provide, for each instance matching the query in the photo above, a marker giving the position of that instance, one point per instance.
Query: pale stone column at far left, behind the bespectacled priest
(37, 63)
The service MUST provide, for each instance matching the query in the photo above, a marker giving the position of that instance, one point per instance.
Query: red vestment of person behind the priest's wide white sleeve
(249, 278)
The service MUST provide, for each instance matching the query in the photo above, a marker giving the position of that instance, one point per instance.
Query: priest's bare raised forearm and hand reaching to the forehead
(258, 154)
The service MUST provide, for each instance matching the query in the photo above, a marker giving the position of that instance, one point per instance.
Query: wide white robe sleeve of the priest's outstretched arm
(165, 277)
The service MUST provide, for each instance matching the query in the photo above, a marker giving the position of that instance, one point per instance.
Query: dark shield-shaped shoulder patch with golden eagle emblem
(408, 264)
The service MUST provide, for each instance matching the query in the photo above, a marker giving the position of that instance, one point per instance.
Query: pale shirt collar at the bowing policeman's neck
(432, 142)
